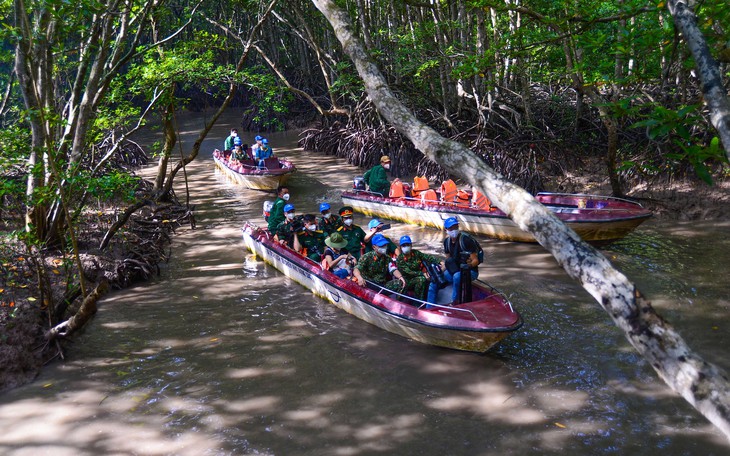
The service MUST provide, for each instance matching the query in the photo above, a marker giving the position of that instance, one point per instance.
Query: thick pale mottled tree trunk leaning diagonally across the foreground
(702, 384)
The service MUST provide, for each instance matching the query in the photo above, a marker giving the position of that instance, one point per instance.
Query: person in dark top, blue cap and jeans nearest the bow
(461, 250)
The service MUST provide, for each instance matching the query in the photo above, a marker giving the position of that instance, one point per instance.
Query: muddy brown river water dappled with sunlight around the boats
(224, 355)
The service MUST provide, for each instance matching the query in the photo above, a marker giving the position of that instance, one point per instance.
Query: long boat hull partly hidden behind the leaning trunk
(595, 218)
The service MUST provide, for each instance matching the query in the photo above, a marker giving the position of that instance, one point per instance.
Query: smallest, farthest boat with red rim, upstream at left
(274, 173)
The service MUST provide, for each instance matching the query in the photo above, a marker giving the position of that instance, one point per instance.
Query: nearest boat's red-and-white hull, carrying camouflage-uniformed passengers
(474, 326)
